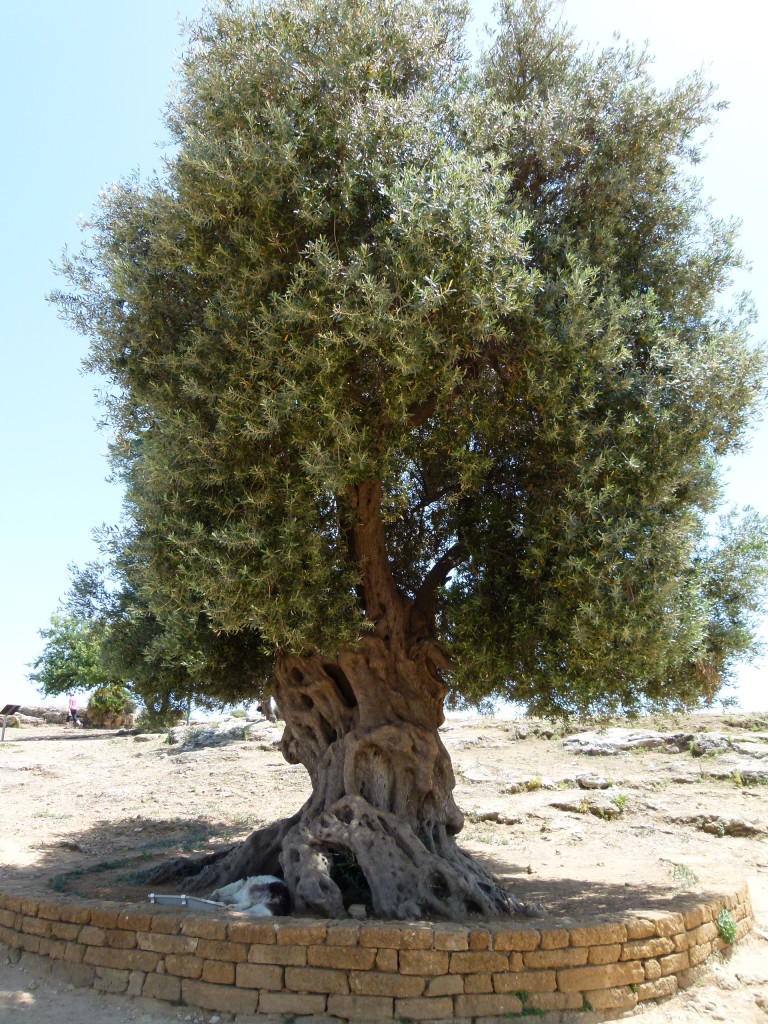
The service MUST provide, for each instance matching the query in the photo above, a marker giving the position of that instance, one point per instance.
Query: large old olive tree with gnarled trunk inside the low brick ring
(419, 383)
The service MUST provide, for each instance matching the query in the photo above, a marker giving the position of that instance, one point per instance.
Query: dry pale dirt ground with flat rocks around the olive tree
(86, 813)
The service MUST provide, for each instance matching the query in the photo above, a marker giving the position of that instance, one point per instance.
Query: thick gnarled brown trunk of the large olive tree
(380, 826)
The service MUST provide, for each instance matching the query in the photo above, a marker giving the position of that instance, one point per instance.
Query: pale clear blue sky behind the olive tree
(83, 87)
